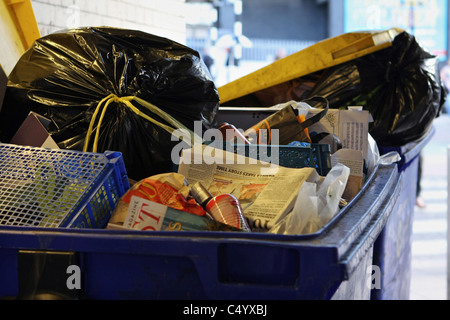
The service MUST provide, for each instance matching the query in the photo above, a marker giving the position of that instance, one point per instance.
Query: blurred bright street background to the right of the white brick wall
(249, 34)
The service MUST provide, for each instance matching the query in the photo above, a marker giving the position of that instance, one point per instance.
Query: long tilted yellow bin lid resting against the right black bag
(322, 55)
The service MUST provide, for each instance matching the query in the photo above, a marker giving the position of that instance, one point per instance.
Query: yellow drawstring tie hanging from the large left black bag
(186, 134)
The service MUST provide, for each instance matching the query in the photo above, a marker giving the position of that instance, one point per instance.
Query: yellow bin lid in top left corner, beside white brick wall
(18, 31)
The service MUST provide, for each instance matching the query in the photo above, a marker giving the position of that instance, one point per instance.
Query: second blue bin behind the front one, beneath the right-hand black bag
(392, 251)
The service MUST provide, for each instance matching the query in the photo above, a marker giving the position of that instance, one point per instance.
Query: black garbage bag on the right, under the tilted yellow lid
(400, 86)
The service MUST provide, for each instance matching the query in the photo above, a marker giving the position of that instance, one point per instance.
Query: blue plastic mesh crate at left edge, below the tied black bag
(49, 188)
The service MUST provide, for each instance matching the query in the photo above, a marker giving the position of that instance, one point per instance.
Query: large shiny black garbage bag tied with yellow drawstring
(70, 75)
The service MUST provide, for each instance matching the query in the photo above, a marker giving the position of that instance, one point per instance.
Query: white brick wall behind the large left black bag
(165, 18)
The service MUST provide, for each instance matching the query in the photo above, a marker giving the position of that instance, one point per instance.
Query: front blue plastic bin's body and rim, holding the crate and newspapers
(334, 263)
